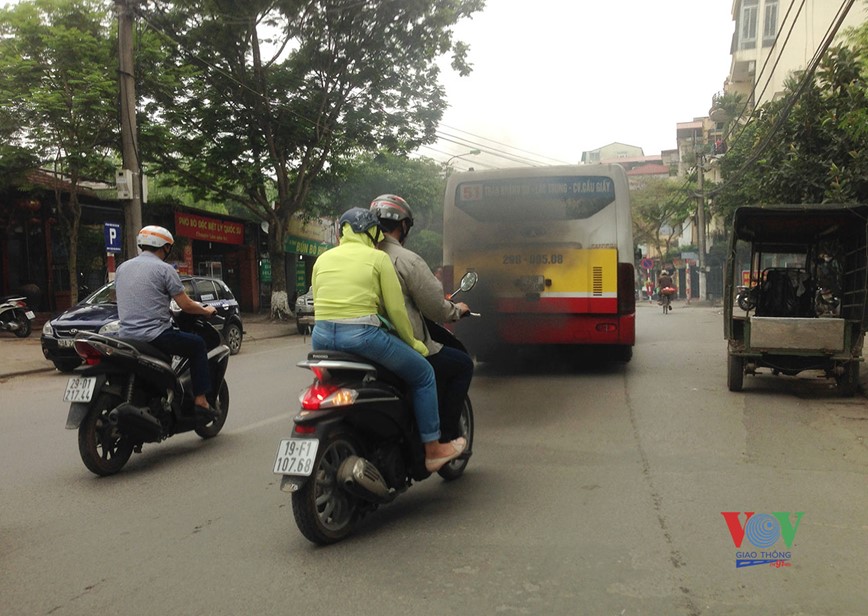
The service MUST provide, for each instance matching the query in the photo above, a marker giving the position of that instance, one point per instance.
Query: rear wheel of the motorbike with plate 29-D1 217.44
(103, 449)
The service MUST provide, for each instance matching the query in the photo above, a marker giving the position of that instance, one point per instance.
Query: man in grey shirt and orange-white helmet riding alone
(145, 286)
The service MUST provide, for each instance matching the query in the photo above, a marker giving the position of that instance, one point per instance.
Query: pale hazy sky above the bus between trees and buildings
(557, 77)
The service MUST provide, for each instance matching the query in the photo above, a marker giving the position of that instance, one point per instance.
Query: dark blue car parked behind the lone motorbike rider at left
(98, 312)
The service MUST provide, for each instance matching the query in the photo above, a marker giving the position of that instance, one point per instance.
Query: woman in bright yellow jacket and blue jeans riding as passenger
(354, 287)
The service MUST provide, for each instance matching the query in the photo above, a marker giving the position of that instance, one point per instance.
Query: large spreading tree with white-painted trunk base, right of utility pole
(261, 96)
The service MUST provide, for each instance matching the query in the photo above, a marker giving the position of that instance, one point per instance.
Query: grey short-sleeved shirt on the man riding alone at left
(145, 285)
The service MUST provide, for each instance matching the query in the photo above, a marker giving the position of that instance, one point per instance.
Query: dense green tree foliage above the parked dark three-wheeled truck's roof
(814, 152)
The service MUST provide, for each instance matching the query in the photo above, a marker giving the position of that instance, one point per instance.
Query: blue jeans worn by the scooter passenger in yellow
(376, 344)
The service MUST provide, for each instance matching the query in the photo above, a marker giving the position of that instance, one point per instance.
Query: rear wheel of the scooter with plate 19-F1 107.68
(324, 512)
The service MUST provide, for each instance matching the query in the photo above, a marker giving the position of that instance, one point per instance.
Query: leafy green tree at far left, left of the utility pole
(58, 98)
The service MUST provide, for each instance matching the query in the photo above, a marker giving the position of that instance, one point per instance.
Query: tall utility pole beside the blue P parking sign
(129, 130)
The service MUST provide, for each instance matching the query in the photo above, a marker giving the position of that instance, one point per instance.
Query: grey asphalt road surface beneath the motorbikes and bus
(595, 488)
